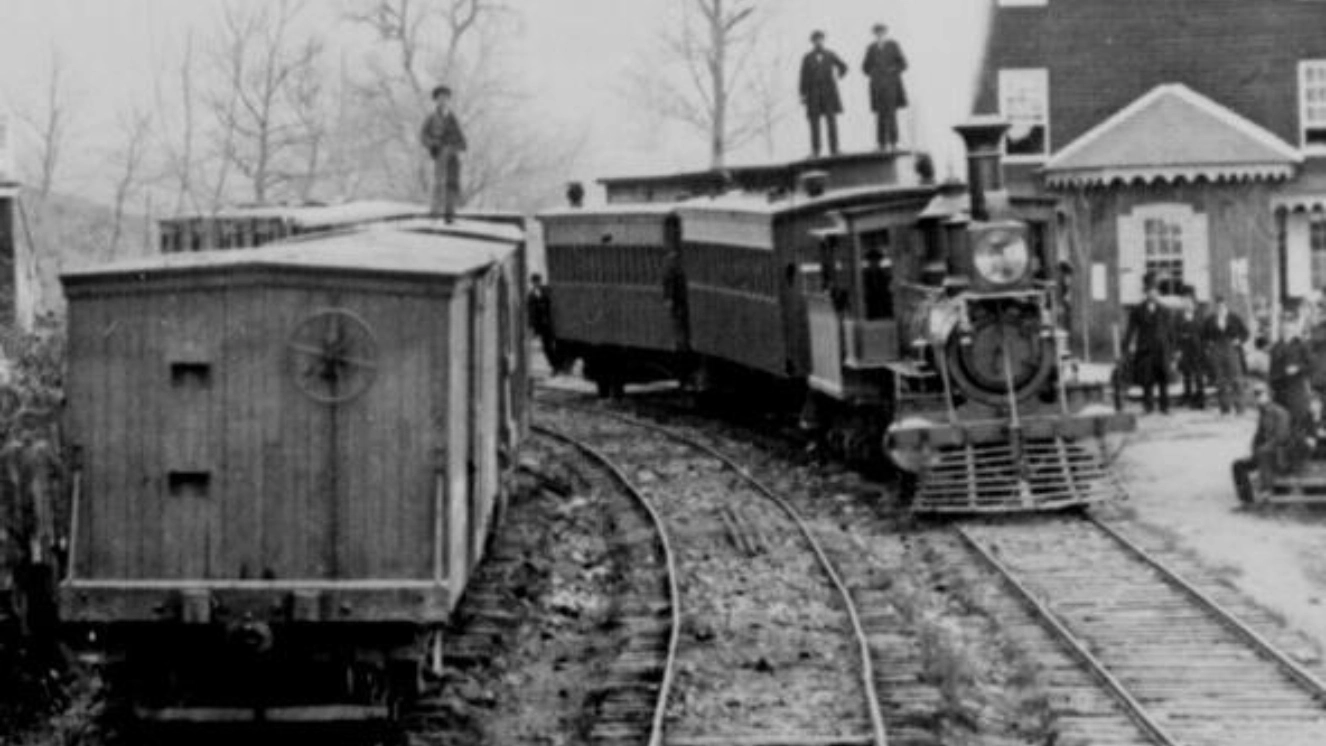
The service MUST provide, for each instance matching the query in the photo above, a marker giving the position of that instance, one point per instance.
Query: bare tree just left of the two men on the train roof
(707, 71)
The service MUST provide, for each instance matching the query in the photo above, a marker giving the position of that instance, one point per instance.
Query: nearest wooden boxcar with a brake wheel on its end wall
(291, 459)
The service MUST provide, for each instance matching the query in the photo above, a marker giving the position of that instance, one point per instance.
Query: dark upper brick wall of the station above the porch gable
(1103, 55)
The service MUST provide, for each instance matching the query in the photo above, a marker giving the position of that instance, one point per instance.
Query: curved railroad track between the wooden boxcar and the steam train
(751, 573)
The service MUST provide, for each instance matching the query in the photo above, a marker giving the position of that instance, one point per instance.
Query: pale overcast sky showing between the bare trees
(571, 54)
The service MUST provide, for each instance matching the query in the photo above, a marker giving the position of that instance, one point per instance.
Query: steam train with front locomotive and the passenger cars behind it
(920, 321)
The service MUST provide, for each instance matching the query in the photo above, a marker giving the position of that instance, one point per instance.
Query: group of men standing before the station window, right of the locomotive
(1199, 348)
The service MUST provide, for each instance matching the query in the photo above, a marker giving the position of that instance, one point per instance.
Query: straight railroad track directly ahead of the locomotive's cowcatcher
(1183, 668)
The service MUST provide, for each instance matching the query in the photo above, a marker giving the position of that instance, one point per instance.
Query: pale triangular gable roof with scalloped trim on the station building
(1170, 134)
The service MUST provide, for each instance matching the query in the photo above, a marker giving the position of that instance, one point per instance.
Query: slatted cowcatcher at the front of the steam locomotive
(1050, 475)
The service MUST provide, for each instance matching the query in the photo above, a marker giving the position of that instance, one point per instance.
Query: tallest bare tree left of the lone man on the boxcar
(269, 96)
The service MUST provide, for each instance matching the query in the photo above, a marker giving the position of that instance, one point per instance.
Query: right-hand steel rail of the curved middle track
(868, 674)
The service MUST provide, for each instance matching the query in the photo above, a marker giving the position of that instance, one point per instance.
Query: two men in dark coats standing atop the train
(884, 67)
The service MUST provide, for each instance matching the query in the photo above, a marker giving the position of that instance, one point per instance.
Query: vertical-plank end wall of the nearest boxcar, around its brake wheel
(204, 460)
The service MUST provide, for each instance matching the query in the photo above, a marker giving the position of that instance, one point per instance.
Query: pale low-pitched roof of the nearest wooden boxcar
(432, 252)
